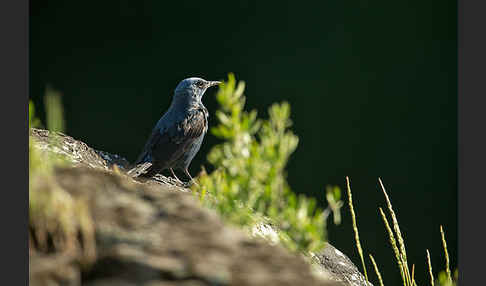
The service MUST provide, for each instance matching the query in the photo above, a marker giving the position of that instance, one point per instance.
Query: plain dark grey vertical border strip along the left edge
(14, 64)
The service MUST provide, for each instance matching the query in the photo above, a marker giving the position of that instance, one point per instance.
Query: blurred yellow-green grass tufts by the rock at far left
(57, 221)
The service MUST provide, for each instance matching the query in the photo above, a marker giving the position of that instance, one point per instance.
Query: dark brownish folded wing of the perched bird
(165, 146)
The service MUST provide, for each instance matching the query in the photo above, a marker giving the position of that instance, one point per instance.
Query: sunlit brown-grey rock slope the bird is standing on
(156, 233)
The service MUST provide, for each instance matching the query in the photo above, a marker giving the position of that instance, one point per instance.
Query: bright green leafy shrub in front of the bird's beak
(249, 183)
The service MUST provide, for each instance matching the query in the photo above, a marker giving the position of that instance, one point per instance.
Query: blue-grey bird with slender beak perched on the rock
(179, 133)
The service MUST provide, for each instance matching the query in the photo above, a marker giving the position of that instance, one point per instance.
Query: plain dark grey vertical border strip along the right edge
(471, 139)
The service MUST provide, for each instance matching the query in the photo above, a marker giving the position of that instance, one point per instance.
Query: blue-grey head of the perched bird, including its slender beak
(191, 90)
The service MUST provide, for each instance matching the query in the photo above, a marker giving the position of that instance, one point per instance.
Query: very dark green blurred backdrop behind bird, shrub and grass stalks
(372, 85)
